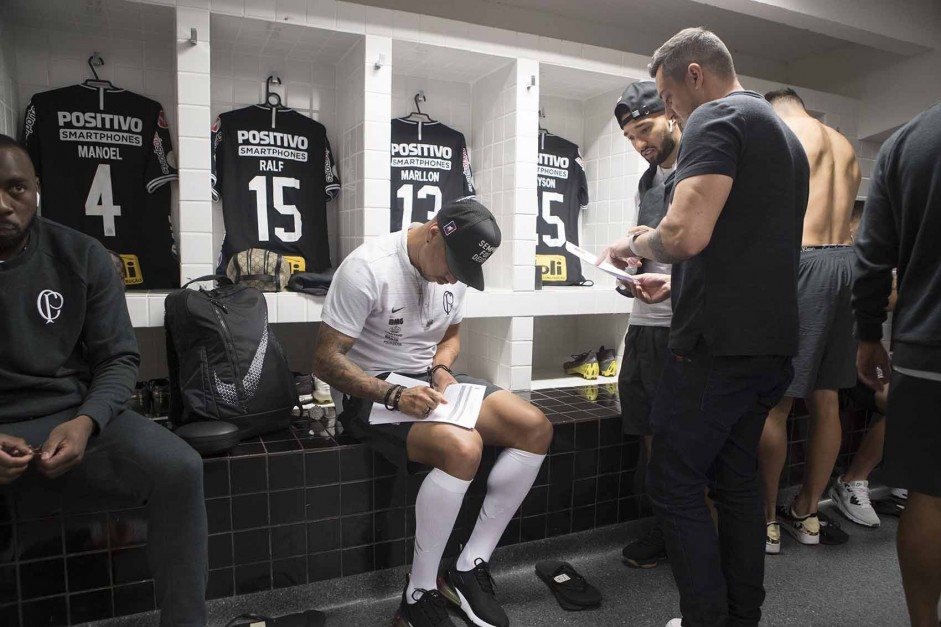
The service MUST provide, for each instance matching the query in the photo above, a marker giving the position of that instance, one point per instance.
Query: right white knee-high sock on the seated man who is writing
(509, 483)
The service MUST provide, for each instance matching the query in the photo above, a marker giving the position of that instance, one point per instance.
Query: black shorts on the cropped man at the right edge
(913, 435)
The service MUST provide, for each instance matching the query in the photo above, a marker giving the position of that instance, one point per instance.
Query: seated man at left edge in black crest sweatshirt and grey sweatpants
(69, 364)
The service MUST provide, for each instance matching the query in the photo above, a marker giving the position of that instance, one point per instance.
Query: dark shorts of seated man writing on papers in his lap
(390, 439)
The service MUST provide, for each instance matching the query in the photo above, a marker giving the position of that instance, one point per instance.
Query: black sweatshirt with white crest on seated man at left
(66, 341)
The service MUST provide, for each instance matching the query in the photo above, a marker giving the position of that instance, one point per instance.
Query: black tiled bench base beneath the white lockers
(289, 509)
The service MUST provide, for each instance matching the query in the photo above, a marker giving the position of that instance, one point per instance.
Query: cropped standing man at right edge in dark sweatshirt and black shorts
(900, 229)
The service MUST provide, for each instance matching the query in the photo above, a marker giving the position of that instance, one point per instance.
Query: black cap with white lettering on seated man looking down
(470, 235)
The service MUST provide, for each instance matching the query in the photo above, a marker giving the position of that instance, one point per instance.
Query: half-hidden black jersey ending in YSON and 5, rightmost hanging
(563, 194)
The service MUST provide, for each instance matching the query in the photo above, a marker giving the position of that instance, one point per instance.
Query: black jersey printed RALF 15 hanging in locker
(274, 172)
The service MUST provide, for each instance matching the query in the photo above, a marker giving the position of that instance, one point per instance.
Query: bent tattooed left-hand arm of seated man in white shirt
(336, 369)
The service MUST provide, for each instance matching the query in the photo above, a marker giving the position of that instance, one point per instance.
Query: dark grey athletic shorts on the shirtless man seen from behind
(826, 351)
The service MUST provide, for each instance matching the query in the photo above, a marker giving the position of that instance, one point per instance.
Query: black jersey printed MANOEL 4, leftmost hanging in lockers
(103, 156)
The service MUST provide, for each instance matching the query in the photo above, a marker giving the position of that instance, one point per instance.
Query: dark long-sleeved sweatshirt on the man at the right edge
(901, 227)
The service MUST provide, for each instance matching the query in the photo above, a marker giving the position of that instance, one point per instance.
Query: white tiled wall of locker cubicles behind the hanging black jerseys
(476, 79)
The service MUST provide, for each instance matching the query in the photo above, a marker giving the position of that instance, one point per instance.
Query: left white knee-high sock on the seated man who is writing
(436, 508)
